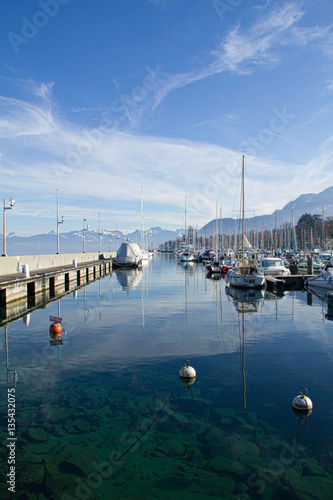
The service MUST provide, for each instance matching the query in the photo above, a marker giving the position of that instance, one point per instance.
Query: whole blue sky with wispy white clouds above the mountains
(99, 98)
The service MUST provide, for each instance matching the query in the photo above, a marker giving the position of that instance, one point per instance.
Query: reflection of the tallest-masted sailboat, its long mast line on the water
(245, 301)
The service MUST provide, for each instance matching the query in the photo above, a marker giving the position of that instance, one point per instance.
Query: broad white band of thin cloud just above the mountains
(111, 172)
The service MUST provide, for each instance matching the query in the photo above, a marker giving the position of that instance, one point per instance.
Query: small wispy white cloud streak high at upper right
(243, 49)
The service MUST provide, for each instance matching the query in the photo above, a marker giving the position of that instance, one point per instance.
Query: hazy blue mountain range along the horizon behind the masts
(73, 241)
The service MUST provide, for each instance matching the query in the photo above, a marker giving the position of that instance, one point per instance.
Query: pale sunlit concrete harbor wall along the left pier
(12, 264)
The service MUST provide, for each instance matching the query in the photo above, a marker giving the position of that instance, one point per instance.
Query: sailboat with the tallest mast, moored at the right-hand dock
(245, 274)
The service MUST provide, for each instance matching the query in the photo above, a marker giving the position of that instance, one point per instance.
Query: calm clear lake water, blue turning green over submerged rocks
(103, 415)
